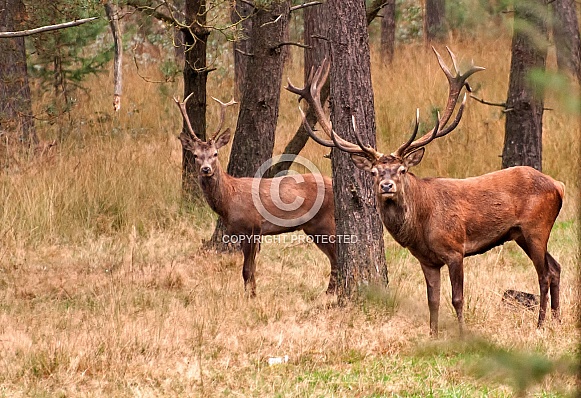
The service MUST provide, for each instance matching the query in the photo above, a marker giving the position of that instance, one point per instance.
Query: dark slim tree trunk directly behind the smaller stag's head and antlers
(195, 77)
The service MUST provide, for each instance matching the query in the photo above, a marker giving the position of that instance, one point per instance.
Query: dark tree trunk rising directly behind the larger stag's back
(524, 119)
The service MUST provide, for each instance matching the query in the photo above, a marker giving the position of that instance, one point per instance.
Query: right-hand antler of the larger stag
(456, 82)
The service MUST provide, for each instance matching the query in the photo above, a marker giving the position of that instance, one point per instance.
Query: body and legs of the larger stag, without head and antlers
(442, 220)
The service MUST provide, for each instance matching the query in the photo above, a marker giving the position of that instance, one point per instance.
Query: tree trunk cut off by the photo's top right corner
(566, 34)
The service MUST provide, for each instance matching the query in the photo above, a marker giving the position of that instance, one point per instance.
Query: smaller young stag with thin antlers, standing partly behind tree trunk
(254, 207)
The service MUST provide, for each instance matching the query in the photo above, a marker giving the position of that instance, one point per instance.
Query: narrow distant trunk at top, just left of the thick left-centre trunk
(241, 15)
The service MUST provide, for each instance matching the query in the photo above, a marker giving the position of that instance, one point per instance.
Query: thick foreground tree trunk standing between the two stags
(362, 263)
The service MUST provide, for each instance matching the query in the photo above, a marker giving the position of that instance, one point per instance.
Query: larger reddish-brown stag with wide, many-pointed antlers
(443, 220)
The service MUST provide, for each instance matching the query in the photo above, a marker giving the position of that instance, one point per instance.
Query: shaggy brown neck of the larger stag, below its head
(400, 215)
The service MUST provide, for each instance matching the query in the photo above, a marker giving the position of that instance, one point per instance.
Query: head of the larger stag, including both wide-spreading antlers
(390, 170)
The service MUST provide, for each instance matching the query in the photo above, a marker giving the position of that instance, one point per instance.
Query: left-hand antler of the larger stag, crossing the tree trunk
(312, 94)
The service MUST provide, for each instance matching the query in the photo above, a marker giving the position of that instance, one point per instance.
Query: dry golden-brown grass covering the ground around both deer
(106, 290)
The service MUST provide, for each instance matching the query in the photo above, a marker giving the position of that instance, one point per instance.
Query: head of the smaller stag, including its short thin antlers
(205, 152)
